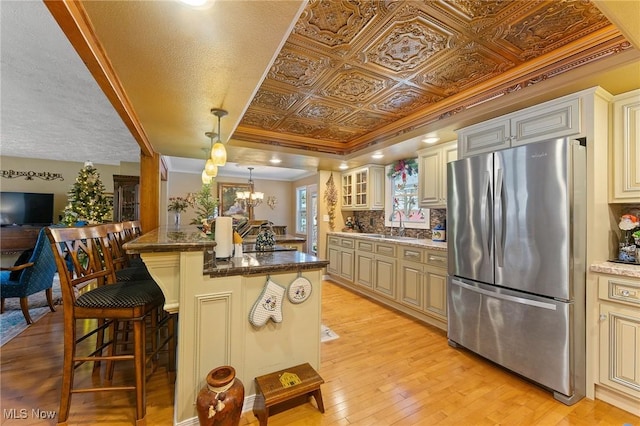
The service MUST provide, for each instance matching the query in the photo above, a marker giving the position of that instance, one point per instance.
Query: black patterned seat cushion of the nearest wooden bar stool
(122, 295)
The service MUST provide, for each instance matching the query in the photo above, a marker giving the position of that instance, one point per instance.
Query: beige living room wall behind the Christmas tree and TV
(58, 188)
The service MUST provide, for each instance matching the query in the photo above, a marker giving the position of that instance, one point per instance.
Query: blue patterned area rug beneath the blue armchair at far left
(12, 321)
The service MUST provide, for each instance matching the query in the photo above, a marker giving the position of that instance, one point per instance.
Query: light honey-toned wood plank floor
(385, 369)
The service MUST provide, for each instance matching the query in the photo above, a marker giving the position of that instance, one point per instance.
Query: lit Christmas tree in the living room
(87, 200)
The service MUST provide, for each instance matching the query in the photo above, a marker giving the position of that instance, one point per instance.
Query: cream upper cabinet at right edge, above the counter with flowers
(625, 149)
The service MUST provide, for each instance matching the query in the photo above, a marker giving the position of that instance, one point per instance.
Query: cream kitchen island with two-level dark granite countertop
(215, 300)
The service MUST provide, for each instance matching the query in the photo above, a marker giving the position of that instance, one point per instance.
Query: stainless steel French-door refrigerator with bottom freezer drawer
(516, 225)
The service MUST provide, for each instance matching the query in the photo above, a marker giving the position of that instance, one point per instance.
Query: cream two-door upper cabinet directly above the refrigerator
(553, 119)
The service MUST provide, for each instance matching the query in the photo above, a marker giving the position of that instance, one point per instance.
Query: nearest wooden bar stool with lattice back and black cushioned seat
(83, 257)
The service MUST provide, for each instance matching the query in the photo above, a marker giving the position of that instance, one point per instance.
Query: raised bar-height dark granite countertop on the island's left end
(169, 238)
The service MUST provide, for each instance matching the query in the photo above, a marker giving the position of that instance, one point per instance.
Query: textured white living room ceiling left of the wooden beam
(51, 107)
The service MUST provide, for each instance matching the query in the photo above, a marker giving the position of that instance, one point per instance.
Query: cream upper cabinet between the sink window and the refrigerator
(432, 169)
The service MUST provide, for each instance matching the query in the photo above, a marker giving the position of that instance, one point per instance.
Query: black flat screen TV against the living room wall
(26, 208)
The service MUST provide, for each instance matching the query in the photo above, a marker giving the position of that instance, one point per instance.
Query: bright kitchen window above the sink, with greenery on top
(402, 196)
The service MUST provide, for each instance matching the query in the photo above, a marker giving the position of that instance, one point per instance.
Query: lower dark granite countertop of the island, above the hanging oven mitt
(265, 263)
